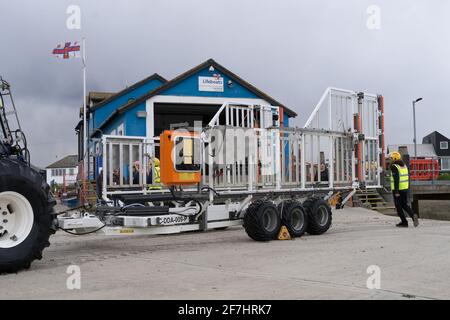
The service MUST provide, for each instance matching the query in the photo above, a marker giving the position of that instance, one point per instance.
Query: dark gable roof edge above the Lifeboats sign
(185, 75)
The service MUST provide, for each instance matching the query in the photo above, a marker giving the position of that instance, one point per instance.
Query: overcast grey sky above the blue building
(292, 50)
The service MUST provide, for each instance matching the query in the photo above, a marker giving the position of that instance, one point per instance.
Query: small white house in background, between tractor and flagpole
(63, 171)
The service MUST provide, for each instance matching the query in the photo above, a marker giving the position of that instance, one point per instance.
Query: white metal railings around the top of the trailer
(249, 151)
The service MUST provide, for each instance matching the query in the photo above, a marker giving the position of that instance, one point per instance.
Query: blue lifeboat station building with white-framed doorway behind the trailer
(151, 105)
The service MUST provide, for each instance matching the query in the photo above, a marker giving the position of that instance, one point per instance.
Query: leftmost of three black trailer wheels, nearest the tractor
(262, 221)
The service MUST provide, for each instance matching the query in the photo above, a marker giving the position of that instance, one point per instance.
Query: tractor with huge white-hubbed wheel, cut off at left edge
(27, 217)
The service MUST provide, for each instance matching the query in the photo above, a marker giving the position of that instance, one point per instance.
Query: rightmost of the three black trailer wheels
(319, 215)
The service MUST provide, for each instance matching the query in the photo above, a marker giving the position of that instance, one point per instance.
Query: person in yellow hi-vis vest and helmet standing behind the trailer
(399, 187)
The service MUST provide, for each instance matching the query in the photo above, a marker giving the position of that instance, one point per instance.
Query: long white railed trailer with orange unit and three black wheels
(242, 168)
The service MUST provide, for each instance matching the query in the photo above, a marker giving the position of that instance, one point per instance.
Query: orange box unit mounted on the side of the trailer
(180, 158)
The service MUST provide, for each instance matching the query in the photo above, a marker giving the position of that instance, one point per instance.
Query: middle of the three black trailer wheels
(294, 217)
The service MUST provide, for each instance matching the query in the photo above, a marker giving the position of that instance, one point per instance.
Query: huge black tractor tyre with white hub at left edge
(26, 215)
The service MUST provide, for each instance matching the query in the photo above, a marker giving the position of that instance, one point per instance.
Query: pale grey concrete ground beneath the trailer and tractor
(414, 263)
